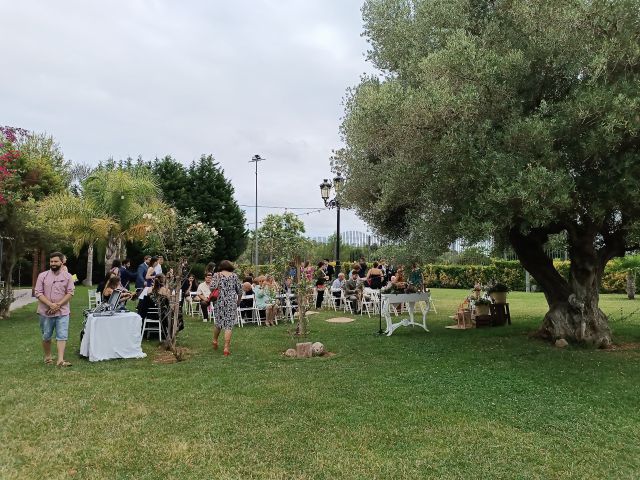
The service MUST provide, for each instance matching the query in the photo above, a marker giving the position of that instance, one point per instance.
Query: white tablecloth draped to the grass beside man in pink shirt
(115, 336)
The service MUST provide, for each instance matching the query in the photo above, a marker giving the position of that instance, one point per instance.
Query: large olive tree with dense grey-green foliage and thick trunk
(517, 119)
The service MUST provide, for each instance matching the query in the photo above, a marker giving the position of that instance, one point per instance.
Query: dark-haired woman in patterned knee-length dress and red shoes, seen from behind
(226, 307)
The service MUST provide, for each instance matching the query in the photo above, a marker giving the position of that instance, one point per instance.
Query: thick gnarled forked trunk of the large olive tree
(574, 314)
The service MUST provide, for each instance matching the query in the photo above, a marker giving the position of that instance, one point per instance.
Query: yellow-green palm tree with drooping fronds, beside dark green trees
(108, 213)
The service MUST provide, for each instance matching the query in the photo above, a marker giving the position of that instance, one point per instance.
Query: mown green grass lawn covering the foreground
(486, 403)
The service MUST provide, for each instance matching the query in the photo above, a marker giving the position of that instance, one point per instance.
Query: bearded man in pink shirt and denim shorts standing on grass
(54, 289)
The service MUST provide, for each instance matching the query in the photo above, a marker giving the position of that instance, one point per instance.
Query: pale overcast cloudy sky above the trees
(159, 77)
